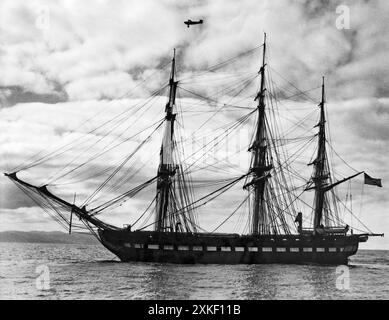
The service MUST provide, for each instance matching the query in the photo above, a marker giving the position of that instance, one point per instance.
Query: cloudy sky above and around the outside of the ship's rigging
(63, 61)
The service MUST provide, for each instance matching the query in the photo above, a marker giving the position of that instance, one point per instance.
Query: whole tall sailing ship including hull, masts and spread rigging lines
(276, 230)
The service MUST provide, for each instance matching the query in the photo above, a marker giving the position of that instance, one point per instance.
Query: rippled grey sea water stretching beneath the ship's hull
(91, 272)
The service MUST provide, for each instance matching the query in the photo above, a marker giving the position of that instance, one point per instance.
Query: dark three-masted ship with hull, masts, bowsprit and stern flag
(276, 232)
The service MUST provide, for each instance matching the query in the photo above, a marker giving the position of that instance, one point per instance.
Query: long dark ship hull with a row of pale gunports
(183, 248)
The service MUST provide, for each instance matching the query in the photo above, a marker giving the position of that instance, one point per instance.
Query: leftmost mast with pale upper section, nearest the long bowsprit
(167, 168)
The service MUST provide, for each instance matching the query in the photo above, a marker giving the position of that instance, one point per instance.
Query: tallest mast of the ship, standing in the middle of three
(259, 168)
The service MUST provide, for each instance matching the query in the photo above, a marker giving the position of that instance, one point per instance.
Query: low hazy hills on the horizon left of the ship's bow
(46, 237)
